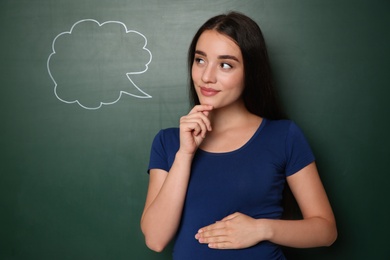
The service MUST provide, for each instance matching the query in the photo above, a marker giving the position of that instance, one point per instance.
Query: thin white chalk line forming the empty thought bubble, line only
(146, 95)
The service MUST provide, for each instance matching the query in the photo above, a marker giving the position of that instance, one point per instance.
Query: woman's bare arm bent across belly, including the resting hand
(317, 228)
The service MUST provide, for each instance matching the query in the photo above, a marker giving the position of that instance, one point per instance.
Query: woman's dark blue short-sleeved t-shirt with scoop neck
(249, 180)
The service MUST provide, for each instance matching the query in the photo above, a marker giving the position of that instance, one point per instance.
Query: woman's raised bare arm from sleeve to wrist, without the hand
(164, 203)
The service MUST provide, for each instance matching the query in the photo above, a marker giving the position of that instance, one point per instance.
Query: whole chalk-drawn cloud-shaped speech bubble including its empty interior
(86, 61)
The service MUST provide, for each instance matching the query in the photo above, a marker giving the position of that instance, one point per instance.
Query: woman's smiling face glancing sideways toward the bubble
(218, 70)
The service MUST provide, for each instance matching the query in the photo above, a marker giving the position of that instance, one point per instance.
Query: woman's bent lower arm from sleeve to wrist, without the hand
(318, 227)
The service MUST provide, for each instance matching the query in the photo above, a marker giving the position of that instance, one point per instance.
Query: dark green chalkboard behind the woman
(85, 86)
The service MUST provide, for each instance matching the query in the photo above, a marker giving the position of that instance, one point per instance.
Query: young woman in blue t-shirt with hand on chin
(216, 182)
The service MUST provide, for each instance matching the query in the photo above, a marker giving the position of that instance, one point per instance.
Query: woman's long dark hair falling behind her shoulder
(259, 94)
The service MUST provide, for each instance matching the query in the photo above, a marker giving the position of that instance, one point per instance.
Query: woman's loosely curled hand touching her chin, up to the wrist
(194, 127)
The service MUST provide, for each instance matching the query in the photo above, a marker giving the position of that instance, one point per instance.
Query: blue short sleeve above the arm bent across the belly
(298, 150)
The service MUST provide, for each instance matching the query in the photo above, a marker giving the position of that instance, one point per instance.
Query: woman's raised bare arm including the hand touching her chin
(166, 191)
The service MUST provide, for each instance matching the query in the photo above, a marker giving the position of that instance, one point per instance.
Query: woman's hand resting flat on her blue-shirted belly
(233, 232)
